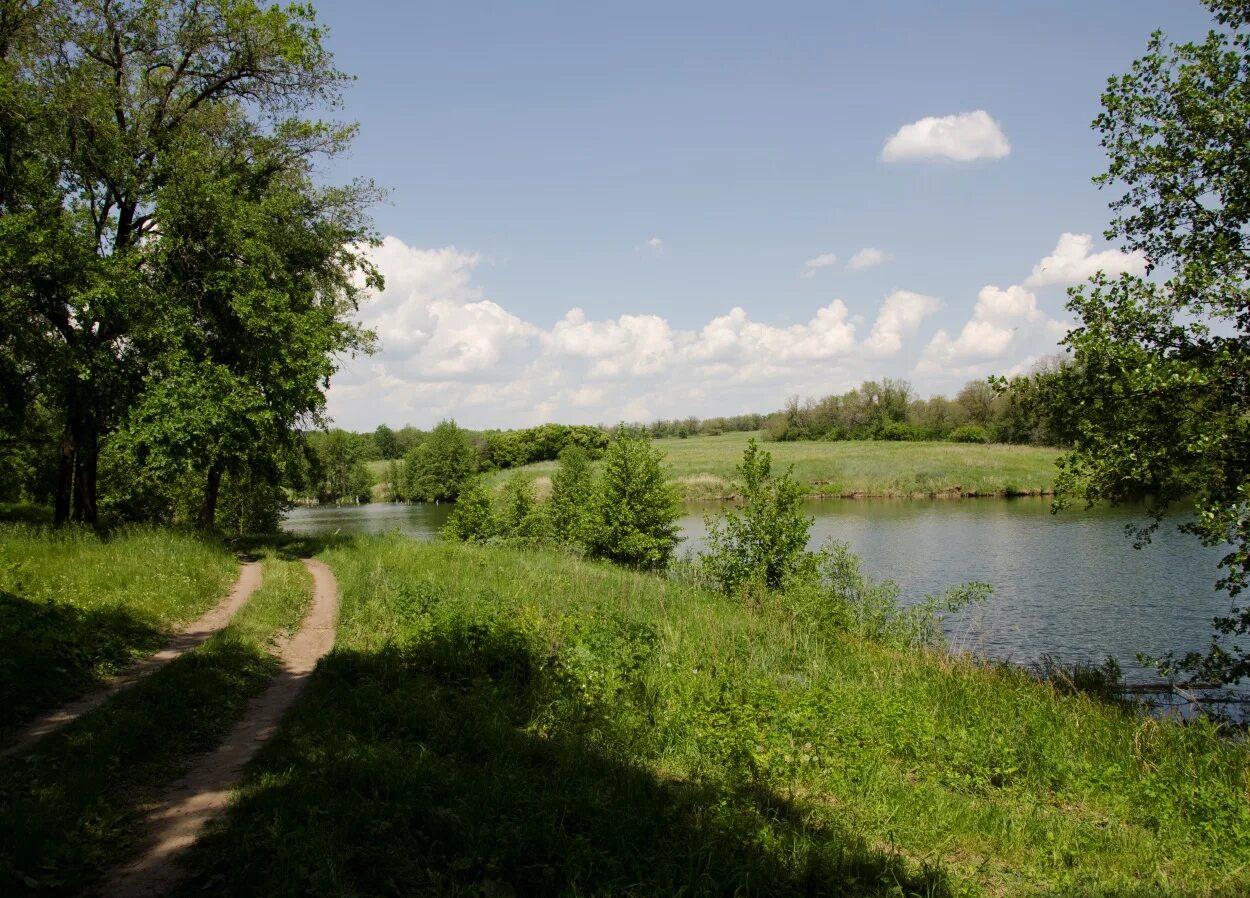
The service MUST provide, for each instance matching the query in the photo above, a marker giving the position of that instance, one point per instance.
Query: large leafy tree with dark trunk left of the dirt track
(116, 116)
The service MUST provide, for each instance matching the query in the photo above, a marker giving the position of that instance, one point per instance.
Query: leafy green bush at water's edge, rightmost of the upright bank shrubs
(767, 543)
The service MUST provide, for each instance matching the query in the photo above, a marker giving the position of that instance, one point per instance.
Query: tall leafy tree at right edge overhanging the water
(1159, 387)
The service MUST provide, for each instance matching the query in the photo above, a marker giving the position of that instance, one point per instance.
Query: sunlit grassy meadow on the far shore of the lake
(703, 468)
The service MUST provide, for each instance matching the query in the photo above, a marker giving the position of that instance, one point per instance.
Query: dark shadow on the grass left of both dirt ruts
(52, 652)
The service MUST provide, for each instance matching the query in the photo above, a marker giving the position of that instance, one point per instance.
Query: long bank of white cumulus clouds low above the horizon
(451, 351)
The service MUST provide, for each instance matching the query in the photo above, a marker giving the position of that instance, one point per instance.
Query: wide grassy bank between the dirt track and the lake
(506, 724)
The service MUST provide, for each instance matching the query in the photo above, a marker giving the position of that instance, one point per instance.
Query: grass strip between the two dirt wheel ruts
(71, 809)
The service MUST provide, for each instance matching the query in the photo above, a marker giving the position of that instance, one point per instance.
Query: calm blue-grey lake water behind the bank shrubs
(1069, 586)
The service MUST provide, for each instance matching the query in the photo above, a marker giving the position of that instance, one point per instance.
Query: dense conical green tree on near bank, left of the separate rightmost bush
(633, 508)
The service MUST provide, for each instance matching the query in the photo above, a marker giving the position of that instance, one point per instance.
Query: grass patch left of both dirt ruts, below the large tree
(76, 607)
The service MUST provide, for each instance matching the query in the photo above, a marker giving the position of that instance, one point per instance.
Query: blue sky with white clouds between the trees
(631, 212)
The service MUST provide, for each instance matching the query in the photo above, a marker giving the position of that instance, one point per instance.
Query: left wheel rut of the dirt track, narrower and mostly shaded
(196, 633)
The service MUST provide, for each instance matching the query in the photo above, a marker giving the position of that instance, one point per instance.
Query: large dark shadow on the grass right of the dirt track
(416, 771)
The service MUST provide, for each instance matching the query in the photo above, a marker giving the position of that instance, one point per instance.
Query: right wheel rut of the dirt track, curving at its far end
(178, 817)
